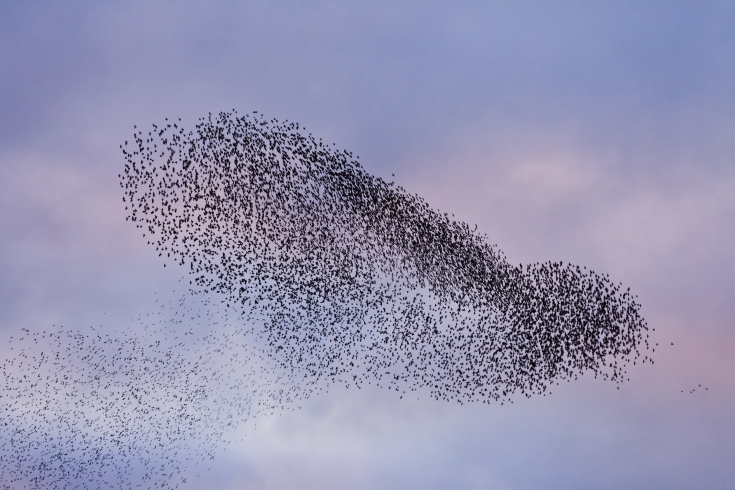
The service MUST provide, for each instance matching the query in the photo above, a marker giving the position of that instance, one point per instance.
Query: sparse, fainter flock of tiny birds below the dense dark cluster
(146, 406)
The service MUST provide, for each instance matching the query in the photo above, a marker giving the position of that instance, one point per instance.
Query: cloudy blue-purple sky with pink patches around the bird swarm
(597, 133)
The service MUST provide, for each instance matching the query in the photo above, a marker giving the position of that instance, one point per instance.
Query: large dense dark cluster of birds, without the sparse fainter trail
(353, 278)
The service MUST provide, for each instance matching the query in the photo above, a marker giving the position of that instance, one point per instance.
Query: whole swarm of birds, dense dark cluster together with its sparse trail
(333, 275)
